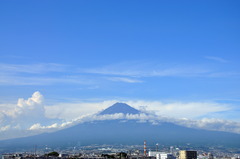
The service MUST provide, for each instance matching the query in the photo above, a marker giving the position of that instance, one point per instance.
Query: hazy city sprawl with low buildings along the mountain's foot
(126, 152)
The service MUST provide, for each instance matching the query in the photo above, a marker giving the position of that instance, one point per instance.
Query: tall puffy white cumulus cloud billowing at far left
(24, 113)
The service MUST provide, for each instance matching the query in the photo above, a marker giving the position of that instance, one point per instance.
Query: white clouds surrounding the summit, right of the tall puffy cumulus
(182, 113)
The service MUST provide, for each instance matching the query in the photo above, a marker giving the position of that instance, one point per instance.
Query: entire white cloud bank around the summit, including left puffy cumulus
(31, 116)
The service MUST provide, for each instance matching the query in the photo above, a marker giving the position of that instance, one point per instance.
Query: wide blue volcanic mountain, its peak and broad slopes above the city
(127, 130)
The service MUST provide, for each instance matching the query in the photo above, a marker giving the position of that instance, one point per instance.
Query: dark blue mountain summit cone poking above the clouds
(120, 108)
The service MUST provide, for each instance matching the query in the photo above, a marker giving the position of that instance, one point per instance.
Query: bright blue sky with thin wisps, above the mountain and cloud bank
(96, 51)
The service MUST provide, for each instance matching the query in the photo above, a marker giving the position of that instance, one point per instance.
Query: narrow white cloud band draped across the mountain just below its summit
(205, 123)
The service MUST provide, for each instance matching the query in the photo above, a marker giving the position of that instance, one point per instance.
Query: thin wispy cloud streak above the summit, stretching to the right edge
(140, 70)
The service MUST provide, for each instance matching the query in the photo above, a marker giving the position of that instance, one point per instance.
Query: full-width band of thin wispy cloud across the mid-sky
(127, 72)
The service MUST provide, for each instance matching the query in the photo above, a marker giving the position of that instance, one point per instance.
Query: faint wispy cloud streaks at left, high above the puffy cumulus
(39, 74)
